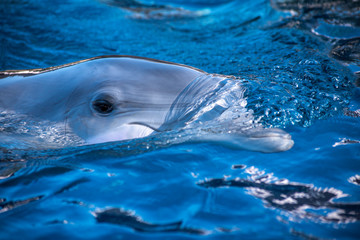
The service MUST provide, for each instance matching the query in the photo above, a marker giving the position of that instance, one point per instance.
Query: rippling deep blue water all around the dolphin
(298, 63)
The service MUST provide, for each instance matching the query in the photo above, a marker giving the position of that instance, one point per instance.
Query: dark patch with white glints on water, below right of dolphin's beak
(301, 201)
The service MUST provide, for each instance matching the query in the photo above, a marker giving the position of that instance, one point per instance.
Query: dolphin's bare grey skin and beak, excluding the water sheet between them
(113, 98)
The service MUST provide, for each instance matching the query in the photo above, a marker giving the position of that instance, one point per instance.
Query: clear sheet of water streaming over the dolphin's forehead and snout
(210, 99)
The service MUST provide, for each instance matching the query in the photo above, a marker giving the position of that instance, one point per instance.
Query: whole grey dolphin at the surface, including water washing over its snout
(115, 98)
